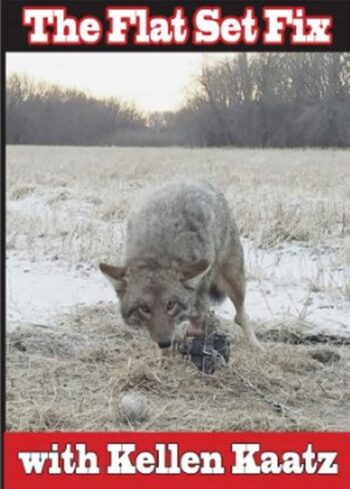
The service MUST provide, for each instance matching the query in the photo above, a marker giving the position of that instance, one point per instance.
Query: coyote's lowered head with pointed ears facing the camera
(156, 297)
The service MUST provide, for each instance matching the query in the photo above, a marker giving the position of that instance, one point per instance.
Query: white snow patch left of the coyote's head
(37, 291)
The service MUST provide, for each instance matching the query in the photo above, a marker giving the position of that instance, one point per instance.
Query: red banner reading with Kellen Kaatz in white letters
(149, 460)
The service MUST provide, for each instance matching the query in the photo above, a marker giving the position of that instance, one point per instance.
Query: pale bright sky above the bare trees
(154, 81)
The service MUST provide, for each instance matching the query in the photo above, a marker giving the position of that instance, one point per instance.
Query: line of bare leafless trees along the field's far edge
(256, 100)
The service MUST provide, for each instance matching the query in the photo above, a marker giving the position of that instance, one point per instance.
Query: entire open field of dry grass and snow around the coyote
(70, 358)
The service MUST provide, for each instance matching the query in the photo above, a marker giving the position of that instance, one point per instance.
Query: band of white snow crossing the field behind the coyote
(280, 286)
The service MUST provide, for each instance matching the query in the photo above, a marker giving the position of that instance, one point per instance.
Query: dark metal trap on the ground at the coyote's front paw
(206, 351)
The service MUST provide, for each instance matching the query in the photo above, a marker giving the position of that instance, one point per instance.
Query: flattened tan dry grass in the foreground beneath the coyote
(73, 378)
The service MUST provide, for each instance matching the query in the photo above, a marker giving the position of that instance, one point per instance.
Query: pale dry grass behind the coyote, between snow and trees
(277, 195)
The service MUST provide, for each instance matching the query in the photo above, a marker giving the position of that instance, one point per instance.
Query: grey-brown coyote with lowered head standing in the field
(182, 250)
